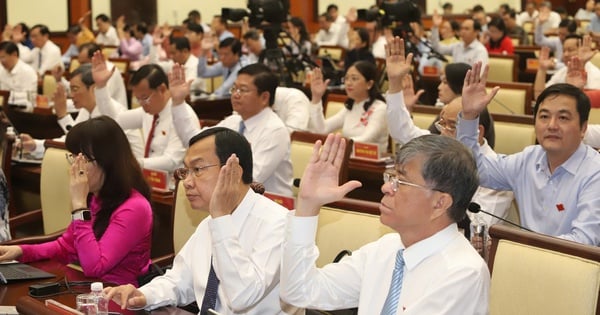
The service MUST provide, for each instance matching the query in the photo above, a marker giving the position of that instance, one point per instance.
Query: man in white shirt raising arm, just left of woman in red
(468, 50)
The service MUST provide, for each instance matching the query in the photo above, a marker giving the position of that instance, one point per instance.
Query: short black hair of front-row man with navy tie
(228, 142)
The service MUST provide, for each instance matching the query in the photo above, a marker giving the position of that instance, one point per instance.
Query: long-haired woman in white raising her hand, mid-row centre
(363, 115)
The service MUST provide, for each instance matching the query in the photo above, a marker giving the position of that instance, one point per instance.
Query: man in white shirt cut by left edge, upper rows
(15, 75)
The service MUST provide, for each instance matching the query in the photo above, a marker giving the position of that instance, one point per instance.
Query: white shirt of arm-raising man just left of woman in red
(469, 54)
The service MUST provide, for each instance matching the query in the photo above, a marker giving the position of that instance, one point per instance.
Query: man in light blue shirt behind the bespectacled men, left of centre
(230, 62)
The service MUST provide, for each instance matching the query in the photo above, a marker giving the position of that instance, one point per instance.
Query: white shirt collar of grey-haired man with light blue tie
(421, 250)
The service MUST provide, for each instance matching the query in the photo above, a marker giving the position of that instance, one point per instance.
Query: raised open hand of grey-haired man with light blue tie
(319, 184)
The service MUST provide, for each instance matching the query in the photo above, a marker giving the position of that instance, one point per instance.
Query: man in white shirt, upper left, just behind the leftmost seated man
(46, 54)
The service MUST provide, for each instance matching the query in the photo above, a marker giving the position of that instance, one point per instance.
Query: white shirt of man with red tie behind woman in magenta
(166, 150)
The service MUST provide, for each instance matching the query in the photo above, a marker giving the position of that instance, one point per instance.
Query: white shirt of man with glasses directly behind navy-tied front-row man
(269, 140)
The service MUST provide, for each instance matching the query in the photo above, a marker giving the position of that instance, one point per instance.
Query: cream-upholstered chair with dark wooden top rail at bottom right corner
(539, 274)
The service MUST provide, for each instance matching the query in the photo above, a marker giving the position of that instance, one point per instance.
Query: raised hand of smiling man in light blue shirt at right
(474, 96)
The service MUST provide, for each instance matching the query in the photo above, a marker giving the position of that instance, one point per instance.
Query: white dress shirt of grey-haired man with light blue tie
(443, 274)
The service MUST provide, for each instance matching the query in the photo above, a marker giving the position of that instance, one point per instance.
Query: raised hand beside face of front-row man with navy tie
(226, 195)
